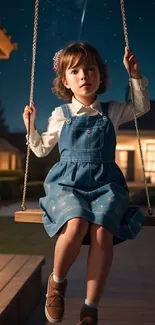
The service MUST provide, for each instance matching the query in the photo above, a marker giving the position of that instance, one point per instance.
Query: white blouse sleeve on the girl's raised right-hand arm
(122, 112)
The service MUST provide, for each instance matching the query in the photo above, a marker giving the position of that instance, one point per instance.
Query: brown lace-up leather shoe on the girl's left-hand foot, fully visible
(54, 307)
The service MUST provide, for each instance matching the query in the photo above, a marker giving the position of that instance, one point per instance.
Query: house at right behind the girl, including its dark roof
(128, 153)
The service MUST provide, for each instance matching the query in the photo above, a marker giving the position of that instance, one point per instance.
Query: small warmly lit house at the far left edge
(10, 156)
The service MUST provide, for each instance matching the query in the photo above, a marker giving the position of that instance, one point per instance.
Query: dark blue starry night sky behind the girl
(59, 24)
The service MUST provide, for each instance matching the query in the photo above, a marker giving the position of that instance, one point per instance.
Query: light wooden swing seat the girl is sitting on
(36, 215)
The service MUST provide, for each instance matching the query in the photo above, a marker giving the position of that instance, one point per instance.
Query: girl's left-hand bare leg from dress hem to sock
(68, 245)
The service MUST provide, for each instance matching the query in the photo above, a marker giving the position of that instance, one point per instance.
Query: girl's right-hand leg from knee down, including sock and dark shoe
(98, 266)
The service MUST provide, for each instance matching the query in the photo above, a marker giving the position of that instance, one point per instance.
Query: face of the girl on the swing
(83, 80)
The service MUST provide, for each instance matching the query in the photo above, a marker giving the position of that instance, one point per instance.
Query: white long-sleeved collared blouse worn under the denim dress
(119, 113)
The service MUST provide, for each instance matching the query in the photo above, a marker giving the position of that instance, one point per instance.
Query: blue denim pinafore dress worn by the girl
(86, 182)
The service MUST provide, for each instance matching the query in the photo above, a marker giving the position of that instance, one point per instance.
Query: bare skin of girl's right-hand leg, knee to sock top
(99, 261)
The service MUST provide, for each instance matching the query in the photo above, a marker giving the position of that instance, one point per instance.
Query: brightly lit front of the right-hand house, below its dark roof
(128, 155)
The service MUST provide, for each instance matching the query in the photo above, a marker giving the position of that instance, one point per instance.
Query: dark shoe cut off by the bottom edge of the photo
(88, 316)
